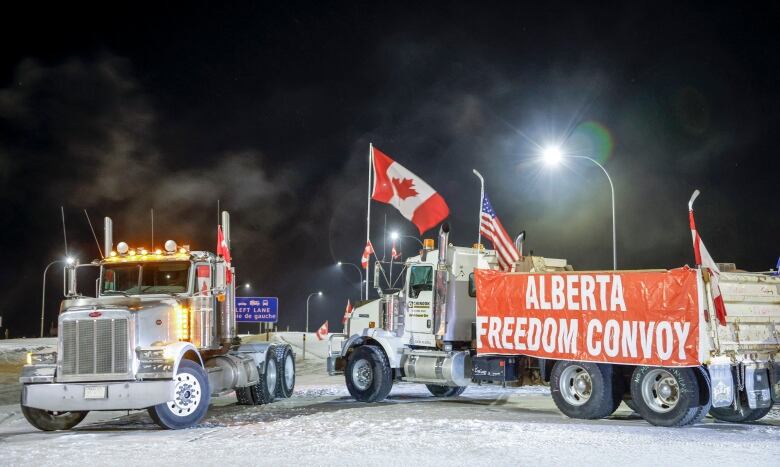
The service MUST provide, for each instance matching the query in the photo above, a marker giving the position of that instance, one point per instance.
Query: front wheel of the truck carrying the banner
(368, 374)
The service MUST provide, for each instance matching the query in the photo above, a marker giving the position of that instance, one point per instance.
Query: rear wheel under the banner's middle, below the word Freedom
(583, 390)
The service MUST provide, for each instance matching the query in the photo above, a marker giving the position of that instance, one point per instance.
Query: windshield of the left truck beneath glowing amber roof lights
(145, 278)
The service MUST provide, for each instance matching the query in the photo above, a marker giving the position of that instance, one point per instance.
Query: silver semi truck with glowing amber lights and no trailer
(159, 335)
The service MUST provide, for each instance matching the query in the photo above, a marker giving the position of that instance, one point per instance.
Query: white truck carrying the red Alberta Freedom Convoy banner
(649, 338)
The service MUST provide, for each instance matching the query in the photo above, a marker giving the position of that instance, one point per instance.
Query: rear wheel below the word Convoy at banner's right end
(668, 397)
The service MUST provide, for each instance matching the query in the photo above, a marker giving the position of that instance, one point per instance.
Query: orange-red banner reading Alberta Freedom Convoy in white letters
(639, 318)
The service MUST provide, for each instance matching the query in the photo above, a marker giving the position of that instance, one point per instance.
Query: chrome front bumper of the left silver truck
(128, 395)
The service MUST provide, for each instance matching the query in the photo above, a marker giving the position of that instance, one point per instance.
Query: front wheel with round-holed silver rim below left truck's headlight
(191, 399)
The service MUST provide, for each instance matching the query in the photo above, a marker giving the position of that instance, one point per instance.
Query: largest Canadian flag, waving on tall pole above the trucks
(396, 185)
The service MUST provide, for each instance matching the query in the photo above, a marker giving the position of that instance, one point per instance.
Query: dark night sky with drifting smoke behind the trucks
(270, 108)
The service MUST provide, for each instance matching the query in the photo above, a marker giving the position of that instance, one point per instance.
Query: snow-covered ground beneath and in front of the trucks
(322, 425)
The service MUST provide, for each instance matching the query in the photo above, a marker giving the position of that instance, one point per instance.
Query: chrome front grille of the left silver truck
(94, 347)
